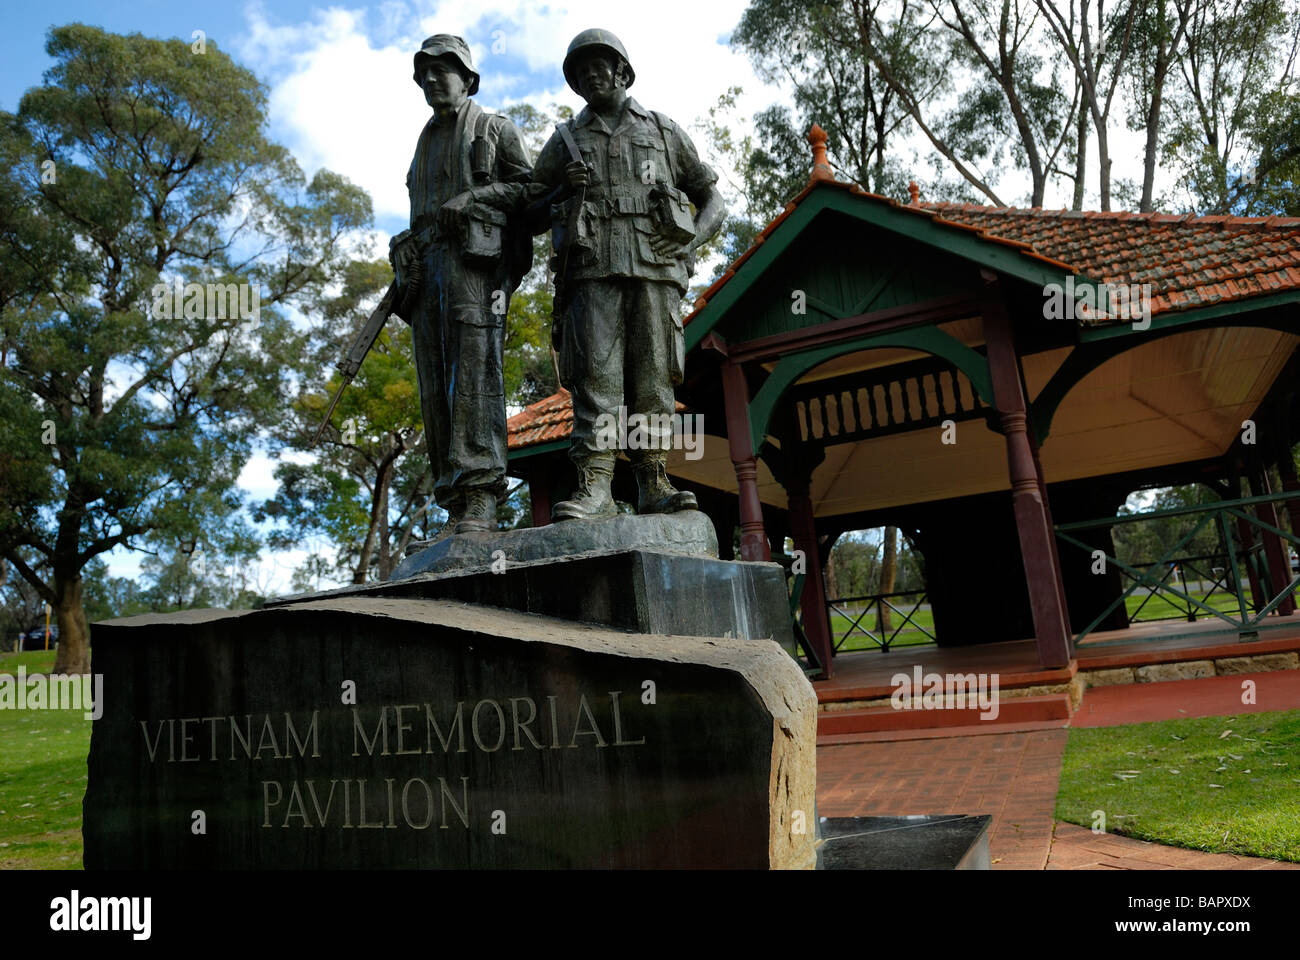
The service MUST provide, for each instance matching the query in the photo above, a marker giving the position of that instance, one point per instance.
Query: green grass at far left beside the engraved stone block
(42, 780)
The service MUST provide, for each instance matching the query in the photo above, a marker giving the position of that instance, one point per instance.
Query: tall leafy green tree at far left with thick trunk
(123, 429)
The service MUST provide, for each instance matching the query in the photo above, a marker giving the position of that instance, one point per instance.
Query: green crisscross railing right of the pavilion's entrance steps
(1238, 563)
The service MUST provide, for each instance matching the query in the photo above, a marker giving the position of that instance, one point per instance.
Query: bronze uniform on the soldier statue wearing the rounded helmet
(621, 339)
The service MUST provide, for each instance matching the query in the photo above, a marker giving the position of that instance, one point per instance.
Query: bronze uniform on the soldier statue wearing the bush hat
(458, 304)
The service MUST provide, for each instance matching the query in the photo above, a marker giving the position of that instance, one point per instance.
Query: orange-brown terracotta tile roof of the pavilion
(1190, 262)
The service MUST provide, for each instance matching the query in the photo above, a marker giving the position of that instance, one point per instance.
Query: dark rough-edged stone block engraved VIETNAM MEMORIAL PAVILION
(362, 732)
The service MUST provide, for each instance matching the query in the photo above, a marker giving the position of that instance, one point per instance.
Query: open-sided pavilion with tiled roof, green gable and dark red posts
(869, 362)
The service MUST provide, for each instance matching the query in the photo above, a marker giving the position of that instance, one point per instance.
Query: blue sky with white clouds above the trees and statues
(343, 97)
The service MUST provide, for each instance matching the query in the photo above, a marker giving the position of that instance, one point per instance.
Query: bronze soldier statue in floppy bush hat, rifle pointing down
(457, 269)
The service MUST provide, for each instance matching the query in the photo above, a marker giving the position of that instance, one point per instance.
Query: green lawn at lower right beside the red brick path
(1228, 785)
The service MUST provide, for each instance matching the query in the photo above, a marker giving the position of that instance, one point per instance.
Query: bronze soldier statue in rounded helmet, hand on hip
(625, 239)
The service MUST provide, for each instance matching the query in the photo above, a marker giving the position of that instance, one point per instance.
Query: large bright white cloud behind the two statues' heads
(343, 97)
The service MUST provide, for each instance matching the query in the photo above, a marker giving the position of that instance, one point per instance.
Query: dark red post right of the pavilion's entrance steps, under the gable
(1033, 520)
